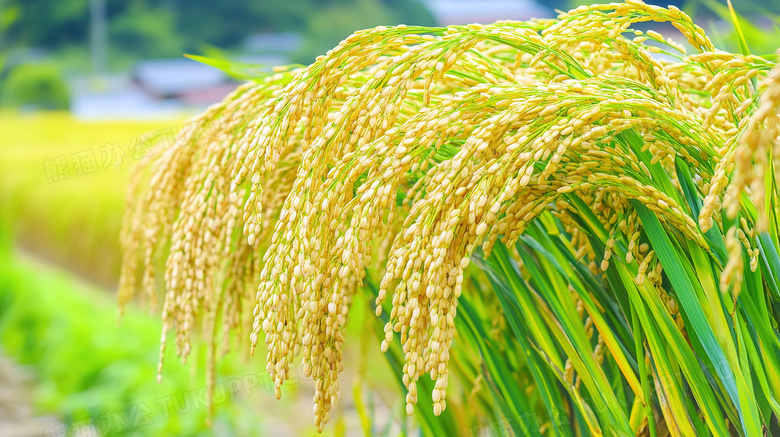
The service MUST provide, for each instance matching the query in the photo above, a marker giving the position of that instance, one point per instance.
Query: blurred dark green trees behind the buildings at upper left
(168, 28)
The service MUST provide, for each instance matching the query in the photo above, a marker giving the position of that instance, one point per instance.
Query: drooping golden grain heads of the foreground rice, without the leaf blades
(408, 147)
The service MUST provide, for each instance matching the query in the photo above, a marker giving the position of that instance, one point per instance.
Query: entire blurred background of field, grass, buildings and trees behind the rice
(86, 88)
